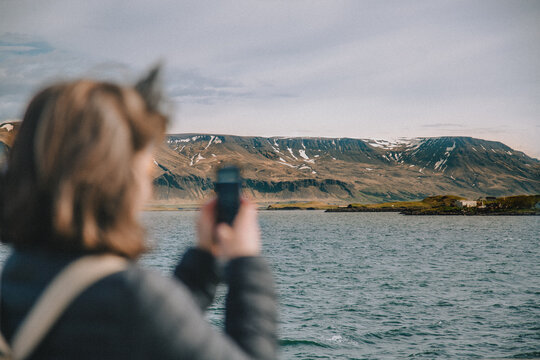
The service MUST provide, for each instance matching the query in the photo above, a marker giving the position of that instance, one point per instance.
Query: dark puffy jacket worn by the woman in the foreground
(139, 314)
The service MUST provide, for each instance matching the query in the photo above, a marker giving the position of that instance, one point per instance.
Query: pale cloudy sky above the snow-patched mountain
(361, 69)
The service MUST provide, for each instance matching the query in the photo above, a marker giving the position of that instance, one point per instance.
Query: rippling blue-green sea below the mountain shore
(385, 285)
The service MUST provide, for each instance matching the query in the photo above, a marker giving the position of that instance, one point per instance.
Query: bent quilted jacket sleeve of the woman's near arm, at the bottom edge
(174, 326)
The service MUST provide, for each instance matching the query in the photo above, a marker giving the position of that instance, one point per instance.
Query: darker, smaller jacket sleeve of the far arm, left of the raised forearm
(198, 270)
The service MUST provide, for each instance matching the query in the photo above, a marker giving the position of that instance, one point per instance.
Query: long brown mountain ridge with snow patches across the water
(337, 170)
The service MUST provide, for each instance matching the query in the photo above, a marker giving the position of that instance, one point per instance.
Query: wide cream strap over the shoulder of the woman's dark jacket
(64, 288)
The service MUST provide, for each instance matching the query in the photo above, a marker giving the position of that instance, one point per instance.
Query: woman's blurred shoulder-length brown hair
(70, 183)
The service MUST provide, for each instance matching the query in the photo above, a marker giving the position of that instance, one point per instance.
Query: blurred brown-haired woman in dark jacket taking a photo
(78, 174)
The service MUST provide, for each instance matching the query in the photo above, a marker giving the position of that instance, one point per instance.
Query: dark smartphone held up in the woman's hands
(227, 188)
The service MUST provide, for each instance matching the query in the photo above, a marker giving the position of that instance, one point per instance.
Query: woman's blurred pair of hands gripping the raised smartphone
(225, 241)
